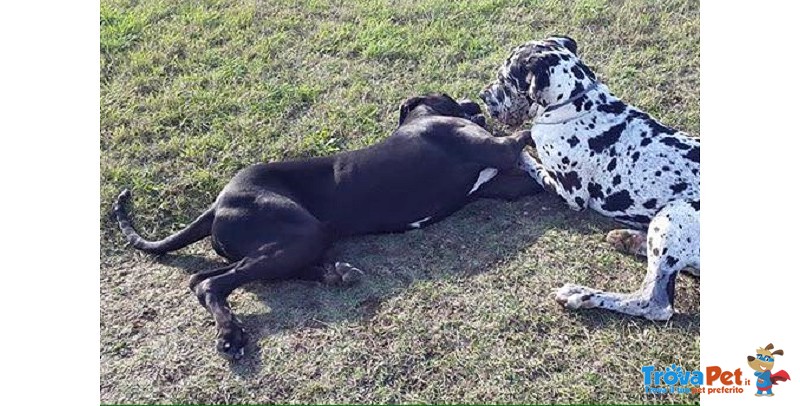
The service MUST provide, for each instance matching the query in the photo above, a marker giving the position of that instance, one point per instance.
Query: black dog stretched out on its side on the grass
(275, 221)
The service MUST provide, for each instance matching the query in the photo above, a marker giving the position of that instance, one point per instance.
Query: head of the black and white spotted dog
(537, 74)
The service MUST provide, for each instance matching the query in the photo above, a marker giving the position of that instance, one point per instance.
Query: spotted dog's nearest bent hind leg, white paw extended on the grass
(672, 244)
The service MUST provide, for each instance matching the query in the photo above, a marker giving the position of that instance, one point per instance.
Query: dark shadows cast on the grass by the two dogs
(474, 240)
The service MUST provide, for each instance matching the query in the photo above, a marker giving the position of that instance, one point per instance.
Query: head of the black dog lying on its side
(440, 104)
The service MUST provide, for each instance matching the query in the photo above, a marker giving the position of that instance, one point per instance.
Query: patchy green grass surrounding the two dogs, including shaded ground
(457, 312)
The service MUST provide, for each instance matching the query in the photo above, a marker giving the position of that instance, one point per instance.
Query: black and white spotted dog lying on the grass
(595, 151)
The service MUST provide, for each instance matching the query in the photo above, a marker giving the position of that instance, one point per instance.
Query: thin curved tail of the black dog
(199, 229)
